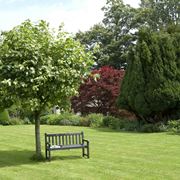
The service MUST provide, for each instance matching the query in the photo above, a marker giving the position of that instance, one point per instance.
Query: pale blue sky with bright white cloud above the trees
(75, 14)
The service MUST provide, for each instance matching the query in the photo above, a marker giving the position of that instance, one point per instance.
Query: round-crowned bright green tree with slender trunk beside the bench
(40, 68)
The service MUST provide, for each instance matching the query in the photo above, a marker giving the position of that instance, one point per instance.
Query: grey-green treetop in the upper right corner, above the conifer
(158, 14)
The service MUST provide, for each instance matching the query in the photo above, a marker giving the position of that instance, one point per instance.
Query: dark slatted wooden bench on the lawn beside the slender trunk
(65, 141)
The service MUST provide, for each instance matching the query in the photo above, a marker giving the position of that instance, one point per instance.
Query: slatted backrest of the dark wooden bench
(64, 138)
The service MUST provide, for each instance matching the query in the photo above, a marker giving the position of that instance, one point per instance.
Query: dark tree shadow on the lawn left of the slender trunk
(15, 158)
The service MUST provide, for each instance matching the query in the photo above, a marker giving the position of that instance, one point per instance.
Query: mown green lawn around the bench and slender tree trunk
(114, 155)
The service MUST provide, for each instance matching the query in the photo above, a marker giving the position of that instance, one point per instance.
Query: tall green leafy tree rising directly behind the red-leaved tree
(114, 35)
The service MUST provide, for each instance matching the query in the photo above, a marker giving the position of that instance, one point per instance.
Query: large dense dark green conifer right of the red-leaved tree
(151, 87)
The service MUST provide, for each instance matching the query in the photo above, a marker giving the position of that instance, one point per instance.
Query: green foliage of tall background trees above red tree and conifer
(117, 32)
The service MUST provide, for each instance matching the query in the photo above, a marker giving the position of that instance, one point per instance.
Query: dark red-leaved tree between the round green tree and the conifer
(99, 96)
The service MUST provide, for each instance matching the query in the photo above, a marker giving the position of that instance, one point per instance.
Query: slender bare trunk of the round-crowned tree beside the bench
(37, 135)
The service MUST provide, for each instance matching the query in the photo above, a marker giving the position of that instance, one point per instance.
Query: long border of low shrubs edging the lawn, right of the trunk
(98, 120)
